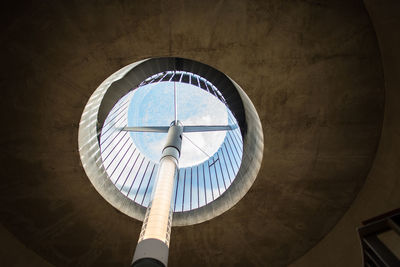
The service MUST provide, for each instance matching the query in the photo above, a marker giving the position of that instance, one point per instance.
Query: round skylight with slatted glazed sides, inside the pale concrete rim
(209, 160)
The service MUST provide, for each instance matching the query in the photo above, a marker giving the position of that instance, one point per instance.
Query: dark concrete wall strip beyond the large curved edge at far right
(381, 191)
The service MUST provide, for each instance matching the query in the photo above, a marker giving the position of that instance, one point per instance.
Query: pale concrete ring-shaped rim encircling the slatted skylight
(126, 79)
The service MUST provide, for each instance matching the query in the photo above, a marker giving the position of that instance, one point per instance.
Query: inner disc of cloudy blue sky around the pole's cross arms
(153, 105)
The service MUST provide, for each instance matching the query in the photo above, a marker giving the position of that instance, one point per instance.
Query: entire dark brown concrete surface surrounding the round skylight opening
(313, 70)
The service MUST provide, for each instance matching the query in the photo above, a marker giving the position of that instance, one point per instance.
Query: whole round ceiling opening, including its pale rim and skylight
(208, 184)
